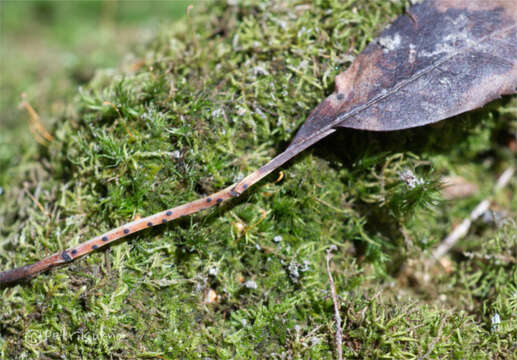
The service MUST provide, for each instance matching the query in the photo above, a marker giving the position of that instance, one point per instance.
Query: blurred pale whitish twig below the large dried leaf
(462, 229)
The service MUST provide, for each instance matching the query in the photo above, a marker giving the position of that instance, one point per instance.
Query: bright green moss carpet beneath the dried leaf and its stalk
(206, 101)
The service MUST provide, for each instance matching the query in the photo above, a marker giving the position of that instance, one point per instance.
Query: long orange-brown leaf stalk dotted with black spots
(162, 217)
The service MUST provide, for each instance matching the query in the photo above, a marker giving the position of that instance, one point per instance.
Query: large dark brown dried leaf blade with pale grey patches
(442, 58)
